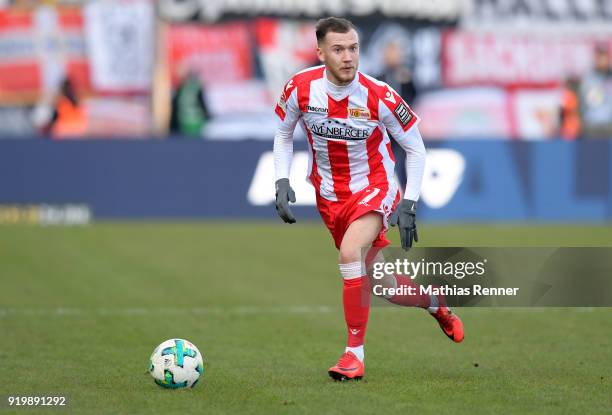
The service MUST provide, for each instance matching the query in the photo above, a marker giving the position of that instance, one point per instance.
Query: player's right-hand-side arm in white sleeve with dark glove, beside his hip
(401, 123)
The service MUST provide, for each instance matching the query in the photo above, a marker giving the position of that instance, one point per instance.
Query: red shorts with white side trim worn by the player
(339, 215)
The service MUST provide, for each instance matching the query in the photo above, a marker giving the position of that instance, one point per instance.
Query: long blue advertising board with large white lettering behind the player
(472, 181)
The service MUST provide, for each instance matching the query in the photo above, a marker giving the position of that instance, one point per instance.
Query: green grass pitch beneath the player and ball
(81, 309)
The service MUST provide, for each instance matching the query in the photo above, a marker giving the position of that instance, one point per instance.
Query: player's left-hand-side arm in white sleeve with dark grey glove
(288, 112)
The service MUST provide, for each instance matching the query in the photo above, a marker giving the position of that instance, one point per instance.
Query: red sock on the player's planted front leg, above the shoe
(356, 300)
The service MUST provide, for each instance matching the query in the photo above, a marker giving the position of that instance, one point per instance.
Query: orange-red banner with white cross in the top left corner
(38, 48)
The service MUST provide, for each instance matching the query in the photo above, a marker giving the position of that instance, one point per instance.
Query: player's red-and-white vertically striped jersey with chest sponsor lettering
(347, 130)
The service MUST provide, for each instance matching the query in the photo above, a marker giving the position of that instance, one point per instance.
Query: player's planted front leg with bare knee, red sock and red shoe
(355, 293)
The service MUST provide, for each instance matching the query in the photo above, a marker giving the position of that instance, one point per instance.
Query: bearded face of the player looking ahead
(340, 54)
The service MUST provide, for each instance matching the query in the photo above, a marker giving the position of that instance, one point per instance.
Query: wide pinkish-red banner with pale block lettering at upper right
(516, 58)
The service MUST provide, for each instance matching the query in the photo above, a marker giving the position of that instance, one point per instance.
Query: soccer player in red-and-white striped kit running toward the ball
(348, 117)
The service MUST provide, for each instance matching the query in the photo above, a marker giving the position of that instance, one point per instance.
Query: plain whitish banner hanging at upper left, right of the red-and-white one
(121, 52)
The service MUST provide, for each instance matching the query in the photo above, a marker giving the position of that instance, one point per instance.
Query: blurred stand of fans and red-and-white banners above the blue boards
(85, 70)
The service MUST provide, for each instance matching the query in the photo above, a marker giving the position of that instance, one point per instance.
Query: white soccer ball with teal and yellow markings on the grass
(176, 364)
